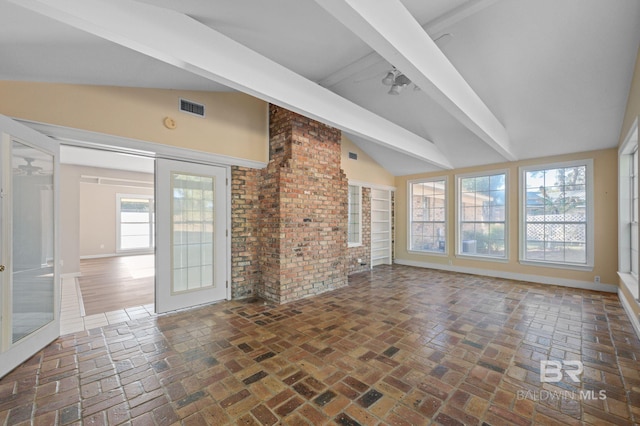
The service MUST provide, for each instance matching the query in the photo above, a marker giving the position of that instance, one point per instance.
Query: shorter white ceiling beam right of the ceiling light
(389, 28)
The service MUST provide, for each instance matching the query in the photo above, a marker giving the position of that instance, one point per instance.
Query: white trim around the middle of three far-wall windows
(507, 215)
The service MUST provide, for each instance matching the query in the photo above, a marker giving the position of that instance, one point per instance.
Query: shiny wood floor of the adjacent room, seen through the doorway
(114, 283)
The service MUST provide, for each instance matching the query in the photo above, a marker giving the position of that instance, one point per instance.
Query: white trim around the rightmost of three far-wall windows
(588, 266)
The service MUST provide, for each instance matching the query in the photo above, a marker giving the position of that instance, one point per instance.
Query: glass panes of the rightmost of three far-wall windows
(557, 226)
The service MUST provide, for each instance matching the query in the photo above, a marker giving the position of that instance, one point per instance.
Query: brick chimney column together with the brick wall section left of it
(289, 220)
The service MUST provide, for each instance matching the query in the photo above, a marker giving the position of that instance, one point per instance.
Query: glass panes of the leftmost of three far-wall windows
(427, 215)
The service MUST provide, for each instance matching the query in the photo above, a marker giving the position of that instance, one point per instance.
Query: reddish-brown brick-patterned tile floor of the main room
(399, 346)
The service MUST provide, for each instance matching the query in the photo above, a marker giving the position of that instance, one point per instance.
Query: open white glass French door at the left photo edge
(29, 273)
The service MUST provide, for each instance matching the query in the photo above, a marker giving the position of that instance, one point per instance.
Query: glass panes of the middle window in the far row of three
(482, 219)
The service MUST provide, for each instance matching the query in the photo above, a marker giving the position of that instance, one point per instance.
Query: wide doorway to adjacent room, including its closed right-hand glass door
(192, 202)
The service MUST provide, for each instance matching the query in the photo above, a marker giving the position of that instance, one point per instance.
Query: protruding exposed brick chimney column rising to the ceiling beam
(303, 210)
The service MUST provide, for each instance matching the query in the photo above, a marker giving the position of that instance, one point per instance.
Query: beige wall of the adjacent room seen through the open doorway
(88, 212)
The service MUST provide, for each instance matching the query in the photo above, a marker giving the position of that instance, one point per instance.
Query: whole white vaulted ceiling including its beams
(522, 78)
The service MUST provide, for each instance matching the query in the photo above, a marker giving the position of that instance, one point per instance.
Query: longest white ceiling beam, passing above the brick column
(179, 40)
